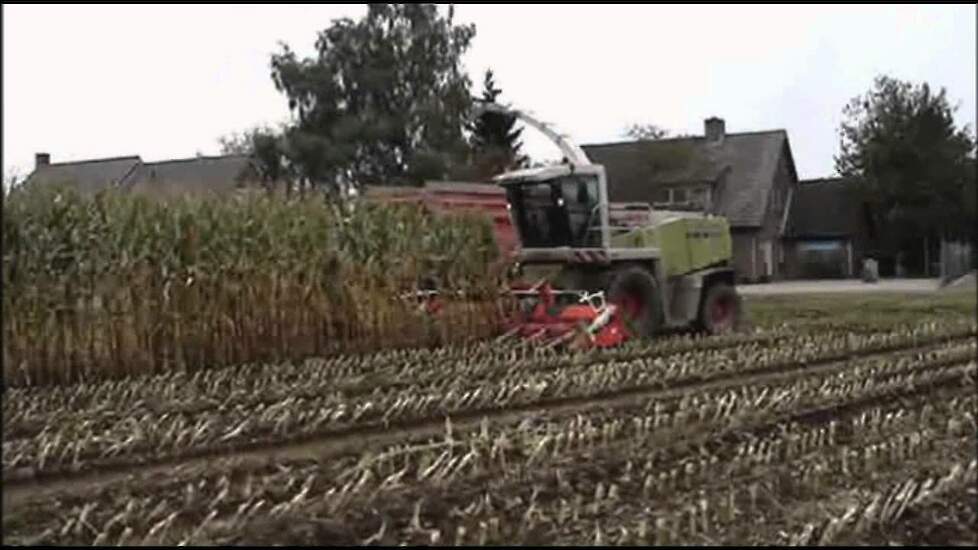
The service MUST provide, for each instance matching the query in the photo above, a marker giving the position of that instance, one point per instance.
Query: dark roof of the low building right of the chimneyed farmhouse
(824, 208)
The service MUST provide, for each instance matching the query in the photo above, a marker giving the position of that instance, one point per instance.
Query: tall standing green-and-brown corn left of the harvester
(122, 285)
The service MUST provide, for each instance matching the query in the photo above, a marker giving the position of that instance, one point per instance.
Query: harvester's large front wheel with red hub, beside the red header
(634, 285)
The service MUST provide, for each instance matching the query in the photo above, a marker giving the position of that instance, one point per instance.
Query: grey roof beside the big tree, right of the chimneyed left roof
(210, 174)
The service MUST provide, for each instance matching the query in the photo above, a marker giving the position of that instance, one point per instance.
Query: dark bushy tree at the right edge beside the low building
(900, 142)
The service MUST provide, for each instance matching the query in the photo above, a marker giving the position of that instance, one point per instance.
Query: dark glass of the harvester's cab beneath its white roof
(558, 212)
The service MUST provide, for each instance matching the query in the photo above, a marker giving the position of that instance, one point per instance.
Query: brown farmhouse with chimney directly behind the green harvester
(748, 177)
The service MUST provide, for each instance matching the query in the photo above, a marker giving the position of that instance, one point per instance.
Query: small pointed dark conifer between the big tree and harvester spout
(495, 137)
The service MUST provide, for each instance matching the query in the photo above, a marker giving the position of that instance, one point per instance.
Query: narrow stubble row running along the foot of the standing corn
(358, 374)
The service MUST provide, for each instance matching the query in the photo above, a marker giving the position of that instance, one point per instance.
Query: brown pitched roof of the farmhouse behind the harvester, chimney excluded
(636, 169)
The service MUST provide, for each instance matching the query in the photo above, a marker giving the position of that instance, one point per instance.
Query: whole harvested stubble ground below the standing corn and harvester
(831, 422)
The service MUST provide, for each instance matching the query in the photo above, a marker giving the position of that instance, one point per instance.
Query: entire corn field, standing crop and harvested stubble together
(241, 373)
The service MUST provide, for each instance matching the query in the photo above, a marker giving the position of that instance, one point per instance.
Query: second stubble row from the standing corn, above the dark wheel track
(77, 439)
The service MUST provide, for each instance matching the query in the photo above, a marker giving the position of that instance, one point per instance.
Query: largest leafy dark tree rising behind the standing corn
(383, 100)
